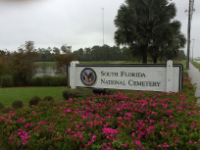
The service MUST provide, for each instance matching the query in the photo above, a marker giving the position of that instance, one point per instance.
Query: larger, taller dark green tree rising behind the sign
(140, 24)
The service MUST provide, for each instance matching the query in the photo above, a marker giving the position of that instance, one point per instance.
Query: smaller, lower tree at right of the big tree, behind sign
(169, 43)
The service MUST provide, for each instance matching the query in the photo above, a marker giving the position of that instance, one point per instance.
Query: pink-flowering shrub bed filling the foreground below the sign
(143, 121)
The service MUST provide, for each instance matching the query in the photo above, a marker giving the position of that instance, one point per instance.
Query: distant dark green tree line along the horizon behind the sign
(98, 53)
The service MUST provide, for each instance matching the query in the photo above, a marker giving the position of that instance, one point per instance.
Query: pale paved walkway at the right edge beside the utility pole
(194, 74)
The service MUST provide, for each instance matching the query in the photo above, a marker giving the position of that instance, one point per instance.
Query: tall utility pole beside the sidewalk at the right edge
(191, 5)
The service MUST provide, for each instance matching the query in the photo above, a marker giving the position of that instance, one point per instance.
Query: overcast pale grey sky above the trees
(76, 23)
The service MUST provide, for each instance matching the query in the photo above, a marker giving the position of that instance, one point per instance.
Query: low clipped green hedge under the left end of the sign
(76, 93)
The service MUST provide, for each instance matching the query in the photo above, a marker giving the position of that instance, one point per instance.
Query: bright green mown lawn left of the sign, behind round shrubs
(9, 95)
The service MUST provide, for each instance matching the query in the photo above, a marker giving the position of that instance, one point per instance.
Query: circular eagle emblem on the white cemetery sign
(88, 76)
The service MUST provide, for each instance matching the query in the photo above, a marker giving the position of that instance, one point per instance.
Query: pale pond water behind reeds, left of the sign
(46, 71)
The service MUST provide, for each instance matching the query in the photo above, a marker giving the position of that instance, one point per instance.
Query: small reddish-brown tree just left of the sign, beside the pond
(63, 60)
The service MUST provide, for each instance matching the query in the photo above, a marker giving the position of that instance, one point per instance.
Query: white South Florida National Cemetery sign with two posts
(155, 77)
